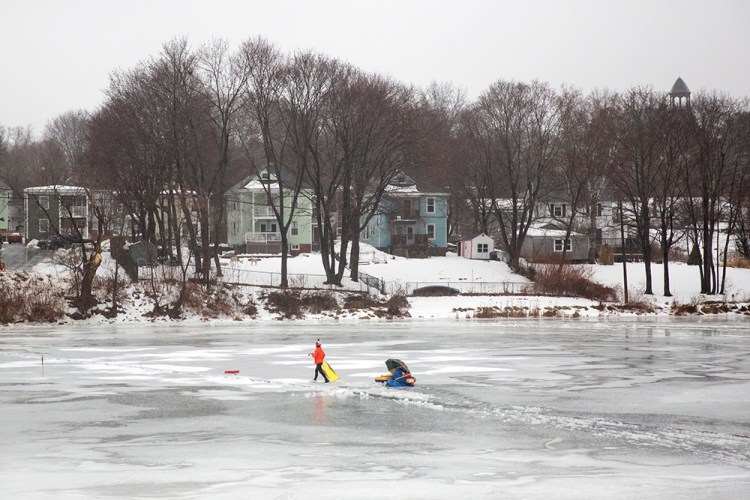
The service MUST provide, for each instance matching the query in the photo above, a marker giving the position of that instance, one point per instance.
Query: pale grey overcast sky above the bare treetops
(57, 56)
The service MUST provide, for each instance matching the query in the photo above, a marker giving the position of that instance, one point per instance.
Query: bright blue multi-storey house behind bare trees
(409, 222)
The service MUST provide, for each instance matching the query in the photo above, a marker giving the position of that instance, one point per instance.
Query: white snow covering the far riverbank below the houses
(137, 302)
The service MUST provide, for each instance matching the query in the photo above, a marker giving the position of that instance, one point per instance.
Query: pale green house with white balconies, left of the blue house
(252, 226)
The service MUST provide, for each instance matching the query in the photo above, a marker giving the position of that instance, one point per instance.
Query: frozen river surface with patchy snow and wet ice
(504, 409)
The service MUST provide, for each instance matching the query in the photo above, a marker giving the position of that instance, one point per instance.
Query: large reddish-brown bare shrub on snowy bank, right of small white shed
(571, 280)
